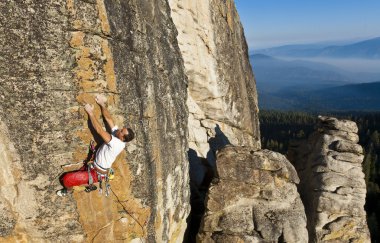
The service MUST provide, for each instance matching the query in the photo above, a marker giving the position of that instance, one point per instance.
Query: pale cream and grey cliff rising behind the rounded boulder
(221, 85)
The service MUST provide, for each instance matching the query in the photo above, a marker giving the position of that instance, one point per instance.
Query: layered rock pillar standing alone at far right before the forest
(332, 183)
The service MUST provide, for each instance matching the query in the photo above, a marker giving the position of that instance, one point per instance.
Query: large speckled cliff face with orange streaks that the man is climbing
(56, 56)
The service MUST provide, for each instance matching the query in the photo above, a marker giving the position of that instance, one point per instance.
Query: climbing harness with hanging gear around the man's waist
(102, 177)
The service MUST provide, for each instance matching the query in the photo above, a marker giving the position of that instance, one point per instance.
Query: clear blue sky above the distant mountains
(270, 23)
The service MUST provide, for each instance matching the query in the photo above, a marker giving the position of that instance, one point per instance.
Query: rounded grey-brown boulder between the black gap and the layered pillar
(254, 199)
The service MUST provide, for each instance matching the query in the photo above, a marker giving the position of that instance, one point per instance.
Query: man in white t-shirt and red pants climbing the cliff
(114, 143)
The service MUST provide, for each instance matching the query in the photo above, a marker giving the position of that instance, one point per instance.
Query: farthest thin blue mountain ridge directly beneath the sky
(368, 49)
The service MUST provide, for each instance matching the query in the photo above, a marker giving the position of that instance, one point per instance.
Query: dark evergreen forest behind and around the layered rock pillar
(279, 128)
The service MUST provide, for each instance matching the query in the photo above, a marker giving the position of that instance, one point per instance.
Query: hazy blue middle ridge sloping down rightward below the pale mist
(275, 74)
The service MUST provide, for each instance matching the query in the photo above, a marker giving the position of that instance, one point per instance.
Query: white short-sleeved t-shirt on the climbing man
(107, 152)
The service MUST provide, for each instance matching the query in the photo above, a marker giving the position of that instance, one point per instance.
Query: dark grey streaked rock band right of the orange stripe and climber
(153, 89)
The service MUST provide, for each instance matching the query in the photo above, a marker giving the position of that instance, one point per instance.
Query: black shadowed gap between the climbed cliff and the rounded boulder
(201, 172)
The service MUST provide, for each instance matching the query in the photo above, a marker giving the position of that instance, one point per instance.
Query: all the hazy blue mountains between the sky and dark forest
(316, 77)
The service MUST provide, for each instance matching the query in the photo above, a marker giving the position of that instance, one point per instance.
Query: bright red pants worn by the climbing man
(78, 178)
